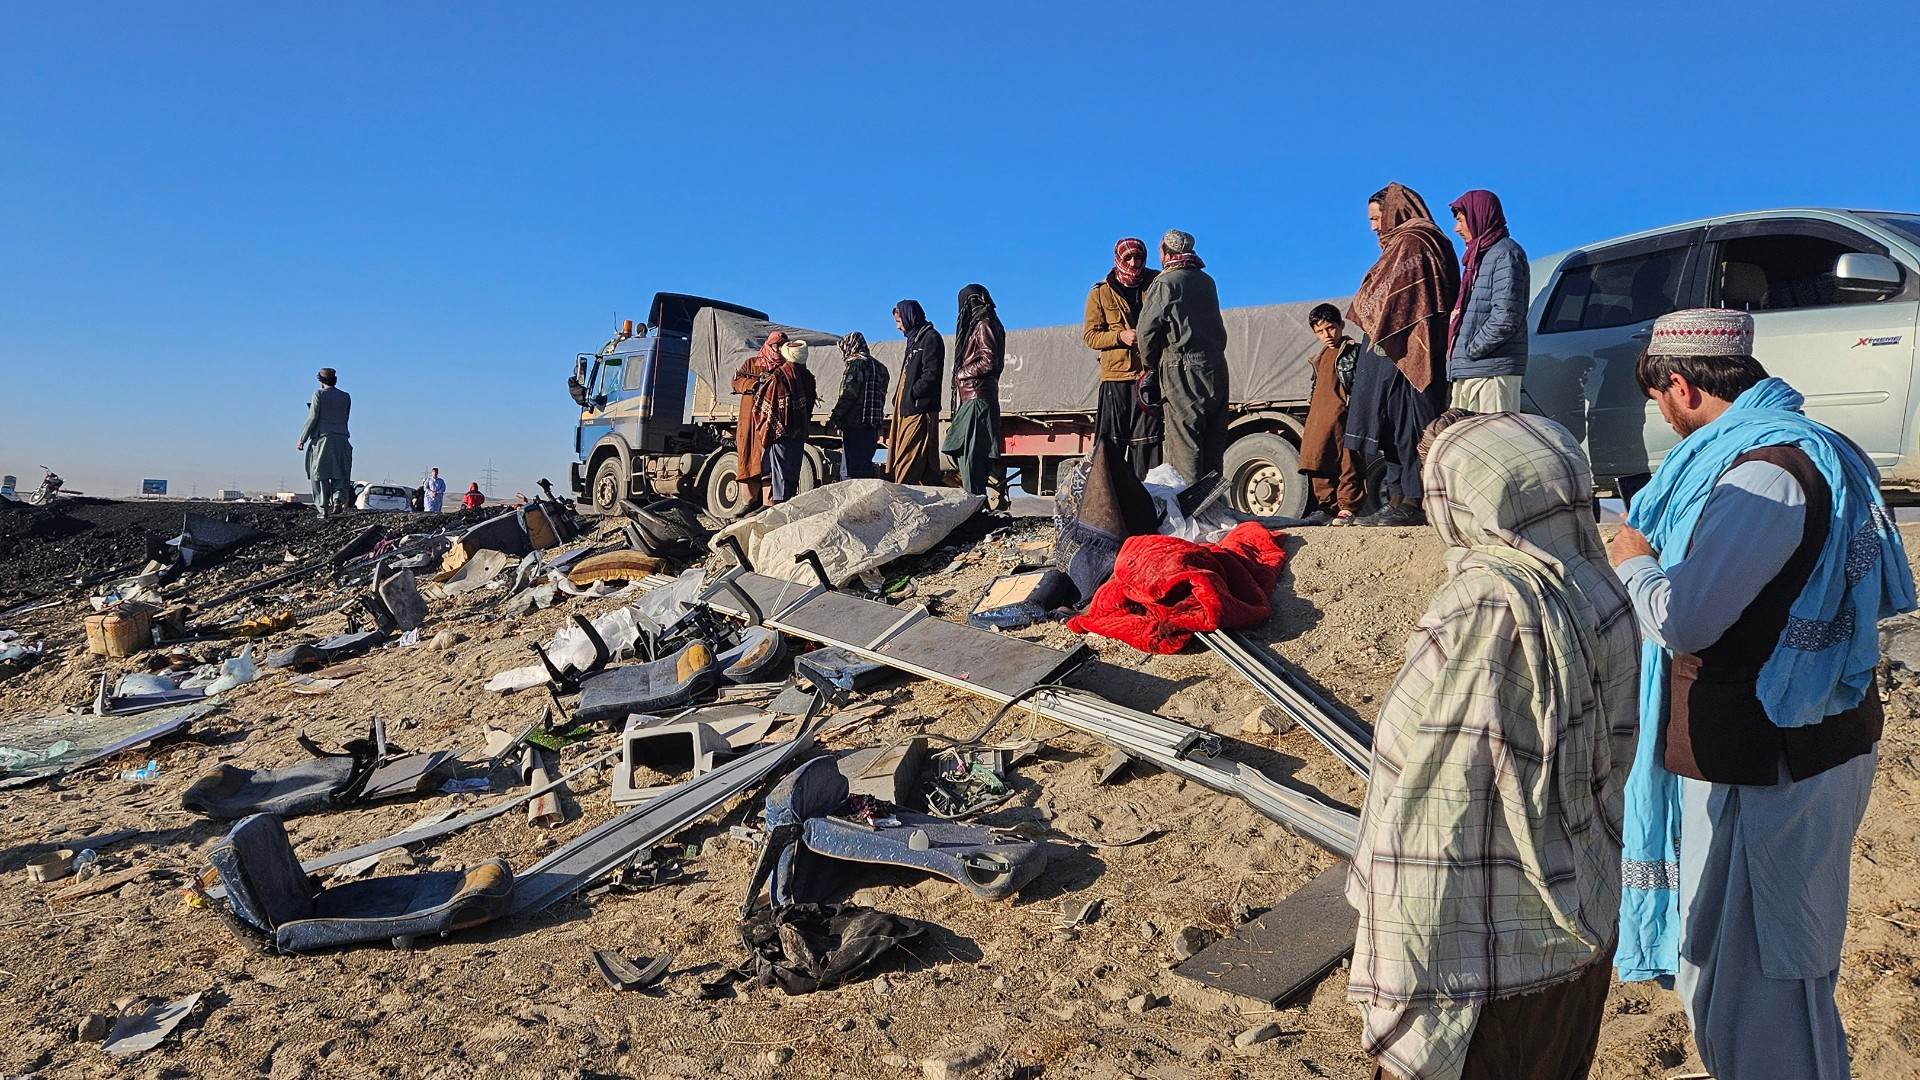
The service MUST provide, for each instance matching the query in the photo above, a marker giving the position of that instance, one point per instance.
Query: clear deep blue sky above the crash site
(201, 205)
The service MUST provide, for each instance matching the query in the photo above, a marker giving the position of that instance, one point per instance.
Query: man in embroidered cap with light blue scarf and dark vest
(1760, 562)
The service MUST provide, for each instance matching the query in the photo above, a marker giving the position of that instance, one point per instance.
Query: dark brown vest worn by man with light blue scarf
(1717, 727)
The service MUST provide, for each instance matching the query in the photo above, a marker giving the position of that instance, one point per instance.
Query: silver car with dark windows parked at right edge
(1835, 299)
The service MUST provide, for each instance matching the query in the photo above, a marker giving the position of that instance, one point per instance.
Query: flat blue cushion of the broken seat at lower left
(400, 908)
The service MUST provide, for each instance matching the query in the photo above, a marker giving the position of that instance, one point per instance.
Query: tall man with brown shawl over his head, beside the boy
(1401, 381)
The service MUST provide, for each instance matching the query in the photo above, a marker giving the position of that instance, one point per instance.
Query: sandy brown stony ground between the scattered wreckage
(521, 1000)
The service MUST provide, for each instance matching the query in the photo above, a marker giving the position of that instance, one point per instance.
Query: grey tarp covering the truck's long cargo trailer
(1049, 370)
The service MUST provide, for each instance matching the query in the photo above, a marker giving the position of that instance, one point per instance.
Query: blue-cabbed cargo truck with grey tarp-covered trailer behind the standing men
(658, 414)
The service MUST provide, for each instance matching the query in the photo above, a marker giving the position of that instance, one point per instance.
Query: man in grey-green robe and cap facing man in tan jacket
(1184, 337)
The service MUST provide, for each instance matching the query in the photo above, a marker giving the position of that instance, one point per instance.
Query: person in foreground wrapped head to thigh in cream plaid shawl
(1489, 866)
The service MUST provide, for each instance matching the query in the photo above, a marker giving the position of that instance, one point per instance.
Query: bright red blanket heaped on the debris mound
(1166, 589)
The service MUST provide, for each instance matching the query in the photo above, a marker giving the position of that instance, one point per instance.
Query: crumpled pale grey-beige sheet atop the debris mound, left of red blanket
(853, 526)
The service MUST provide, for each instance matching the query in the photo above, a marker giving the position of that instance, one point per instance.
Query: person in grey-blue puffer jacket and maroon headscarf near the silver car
(1487, 339)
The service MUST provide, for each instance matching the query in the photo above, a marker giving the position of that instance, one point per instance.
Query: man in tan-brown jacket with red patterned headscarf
(1113, 310)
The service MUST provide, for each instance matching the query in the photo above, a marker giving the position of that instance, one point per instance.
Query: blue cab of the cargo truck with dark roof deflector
(636, 435)
